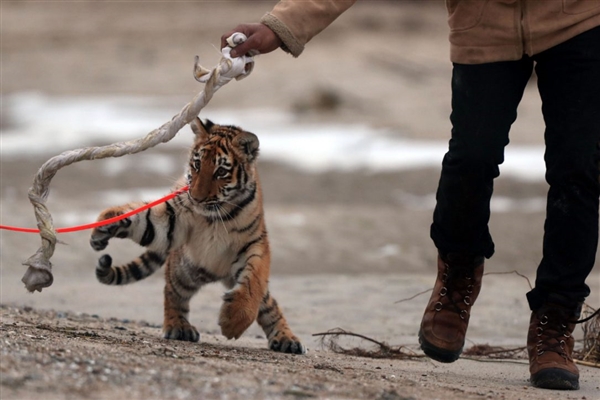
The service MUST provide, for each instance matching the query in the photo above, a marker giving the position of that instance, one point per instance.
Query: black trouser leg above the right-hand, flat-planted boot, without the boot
(569, 84)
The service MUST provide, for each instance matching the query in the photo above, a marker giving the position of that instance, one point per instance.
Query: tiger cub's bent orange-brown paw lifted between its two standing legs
(237, 313)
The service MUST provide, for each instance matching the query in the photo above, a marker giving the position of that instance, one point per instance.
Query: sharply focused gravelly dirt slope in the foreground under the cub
(61, 355)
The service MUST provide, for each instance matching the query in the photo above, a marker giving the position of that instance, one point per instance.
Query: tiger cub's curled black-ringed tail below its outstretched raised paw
(138, 269)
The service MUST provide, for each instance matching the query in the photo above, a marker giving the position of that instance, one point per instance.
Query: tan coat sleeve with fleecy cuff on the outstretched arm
(296, 22)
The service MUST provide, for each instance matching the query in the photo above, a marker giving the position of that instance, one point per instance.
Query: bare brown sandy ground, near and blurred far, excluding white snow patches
(346, 246)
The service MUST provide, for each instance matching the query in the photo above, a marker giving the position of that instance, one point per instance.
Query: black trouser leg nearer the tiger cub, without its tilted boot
(484, 105)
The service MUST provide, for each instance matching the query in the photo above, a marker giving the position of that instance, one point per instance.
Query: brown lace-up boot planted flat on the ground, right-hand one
(550, 348)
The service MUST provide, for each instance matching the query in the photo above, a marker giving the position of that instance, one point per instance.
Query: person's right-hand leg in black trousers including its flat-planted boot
(569, 84)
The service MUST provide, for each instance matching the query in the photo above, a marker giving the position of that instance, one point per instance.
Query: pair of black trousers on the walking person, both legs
(484, 105)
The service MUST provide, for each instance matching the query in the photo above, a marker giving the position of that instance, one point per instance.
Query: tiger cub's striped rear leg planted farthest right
(278, 332)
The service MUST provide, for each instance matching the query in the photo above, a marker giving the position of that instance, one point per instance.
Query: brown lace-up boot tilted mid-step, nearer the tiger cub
(444, 324)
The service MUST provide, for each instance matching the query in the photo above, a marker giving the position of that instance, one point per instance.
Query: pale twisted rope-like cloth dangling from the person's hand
(39, 273)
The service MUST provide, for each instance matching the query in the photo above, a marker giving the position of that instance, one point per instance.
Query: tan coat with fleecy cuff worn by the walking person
(481, 31)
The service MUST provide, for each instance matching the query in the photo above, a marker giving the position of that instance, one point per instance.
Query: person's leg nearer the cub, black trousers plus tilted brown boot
(484, 105)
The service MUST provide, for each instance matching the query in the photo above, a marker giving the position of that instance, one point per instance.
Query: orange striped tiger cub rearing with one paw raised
(214, 231)
